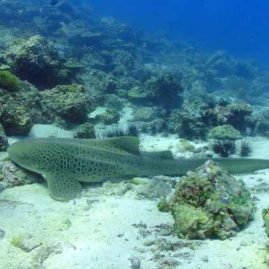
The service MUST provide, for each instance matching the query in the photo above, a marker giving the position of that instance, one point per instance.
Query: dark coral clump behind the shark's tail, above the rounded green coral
(199, 114)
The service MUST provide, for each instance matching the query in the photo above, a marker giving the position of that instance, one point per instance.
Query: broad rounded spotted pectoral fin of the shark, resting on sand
(62, 187)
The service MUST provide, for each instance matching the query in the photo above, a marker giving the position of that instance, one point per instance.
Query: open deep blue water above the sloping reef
(240, 27)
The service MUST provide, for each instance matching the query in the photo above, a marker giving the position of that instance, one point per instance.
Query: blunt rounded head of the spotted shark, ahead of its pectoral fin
(23, 153)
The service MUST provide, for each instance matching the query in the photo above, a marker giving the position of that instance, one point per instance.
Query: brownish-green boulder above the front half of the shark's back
(70, 102)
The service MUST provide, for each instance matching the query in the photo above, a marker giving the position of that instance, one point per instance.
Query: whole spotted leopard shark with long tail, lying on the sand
(66, 162)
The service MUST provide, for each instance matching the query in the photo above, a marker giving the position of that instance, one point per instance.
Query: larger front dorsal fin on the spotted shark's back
(126, 143)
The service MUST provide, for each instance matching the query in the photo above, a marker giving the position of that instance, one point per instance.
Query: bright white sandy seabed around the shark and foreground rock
(106, 232)
